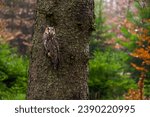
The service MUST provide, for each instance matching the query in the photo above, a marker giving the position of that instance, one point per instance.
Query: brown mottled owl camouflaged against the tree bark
(51, 45)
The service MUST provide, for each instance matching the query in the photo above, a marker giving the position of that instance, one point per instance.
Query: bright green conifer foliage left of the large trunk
(13, 73)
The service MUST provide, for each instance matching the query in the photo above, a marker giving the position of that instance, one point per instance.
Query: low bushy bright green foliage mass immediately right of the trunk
(108, 78)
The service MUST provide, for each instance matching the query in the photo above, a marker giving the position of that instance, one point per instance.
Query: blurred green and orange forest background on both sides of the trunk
(119, 65)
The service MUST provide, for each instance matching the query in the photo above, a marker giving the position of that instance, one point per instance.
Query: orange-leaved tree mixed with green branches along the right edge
(139, 31)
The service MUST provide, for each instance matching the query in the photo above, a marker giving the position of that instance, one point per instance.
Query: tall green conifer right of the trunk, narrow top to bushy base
(108, 78)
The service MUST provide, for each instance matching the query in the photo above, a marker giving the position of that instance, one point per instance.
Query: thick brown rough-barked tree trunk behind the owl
(73, 21)
